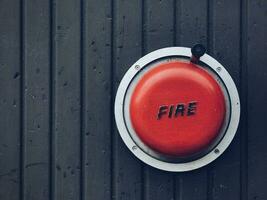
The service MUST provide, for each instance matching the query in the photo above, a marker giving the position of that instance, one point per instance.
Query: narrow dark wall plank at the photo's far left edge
(10, 102)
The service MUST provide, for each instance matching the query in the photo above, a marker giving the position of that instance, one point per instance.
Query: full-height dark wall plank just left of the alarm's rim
(98, 86)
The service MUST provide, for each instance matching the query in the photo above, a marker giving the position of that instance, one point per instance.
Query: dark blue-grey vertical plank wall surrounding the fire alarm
(60, 66)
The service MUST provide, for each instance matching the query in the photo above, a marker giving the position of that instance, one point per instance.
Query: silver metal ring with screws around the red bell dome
(162, 164)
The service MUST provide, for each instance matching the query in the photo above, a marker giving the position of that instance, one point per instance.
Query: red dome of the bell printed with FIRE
(177, 108)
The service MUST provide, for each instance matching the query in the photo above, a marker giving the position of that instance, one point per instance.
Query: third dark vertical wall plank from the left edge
(66, 163)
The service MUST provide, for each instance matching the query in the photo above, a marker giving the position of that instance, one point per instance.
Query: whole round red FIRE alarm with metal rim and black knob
(177, 109)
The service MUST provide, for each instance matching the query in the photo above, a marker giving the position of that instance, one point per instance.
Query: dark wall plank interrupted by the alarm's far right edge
(225, 26)
